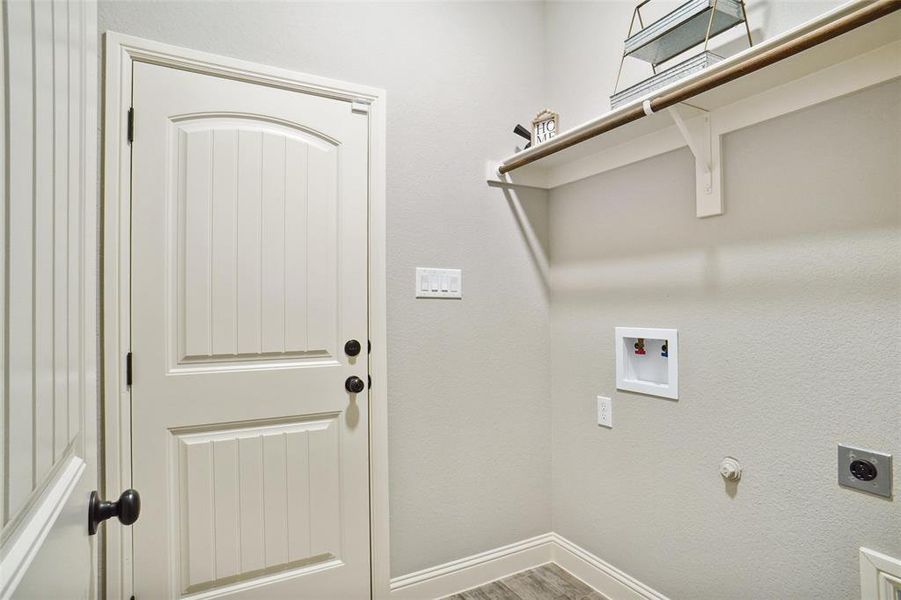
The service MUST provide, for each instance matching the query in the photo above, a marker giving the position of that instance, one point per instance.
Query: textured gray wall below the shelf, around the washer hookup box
(789, 342)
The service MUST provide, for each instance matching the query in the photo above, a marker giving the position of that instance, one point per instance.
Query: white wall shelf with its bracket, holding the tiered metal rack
(865, 56)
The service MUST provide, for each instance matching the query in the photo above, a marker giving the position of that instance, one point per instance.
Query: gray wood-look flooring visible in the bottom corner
(547, 582)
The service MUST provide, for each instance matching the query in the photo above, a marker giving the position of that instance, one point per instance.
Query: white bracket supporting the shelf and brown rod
(705, 144)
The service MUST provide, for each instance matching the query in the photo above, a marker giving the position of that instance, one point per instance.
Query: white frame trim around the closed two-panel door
(121, 52)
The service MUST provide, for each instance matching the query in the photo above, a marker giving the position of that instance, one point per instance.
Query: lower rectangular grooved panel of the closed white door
(270, 489)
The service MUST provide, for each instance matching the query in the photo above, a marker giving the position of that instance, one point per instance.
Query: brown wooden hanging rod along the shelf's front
(867, 13)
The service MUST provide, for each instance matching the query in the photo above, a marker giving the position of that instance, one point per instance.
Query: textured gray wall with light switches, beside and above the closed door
(469, 410)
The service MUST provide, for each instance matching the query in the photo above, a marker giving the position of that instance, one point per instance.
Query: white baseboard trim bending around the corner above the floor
(473, 571)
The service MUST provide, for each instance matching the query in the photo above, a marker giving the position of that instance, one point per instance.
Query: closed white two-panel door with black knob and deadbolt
(249, 274)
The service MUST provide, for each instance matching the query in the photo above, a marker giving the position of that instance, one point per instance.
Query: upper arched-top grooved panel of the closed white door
(244, 288)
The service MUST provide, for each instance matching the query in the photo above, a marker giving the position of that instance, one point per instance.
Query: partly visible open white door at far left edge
(48, 262)
